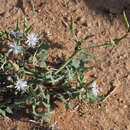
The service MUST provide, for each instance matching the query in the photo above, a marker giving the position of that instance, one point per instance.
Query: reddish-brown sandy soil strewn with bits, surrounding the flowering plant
(101, 19)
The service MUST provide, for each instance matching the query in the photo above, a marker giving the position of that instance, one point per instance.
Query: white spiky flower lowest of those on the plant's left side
(21, 85)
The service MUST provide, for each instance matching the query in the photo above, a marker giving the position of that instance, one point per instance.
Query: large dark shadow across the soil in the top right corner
(107, 7)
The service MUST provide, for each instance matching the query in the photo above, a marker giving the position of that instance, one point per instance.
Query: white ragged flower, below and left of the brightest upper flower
(14, 48)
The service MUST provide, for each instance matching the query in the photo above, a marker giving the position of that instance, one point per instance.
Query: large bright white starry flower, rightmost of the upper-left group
(32, 39)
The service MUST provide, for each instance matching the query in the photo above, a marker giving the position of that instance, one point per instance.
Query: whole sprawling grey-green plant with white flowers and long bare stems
(27, 81)
